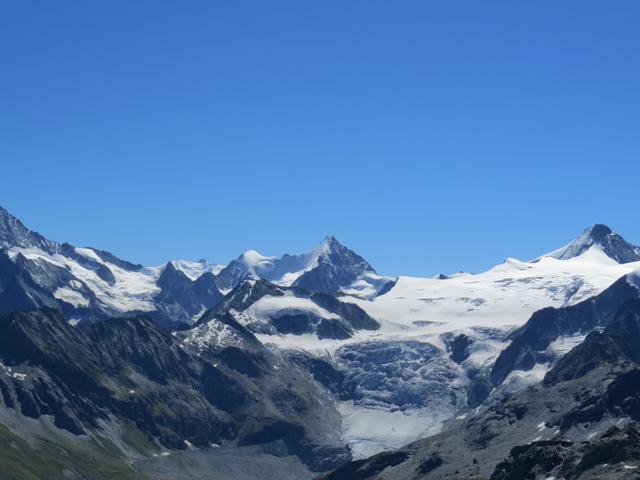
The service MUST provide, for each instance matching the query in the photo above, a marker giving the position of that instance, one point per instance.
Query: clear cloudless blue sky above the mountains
(428, 136)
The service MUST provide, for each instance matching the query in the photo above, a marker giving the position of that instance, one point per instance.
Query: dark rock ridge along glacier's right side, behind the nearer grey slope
(530, 342)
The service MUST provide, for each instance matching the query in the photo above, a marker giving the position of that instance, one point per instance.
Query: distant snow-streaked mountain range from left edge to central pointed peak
(88, 284)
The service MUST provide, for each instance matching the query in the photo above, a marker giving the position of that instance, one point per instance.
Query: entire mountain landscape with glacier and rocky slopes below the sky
(315, 366)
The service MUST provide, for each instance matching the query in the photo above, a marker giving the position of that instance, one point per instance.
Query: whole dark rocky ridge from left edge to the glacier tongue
(131, 370)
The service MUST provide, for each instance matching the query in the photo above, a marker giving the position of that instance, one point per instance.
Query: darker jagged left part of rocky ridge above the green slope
(80, 376)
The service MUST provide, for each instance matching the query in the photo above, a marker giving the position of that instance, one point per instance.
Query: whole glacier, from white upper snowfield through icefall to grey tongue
(484, 306)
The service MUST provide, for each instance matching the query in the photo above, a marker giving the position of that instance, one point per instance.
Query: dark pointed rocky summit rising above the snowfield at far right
(603, 238)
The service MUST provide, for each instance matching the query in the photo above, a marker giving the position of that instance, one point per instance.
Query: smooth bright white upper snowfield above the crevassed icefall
(502, 297)
